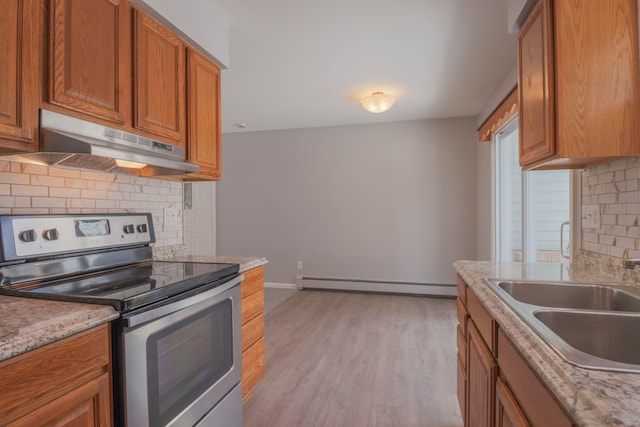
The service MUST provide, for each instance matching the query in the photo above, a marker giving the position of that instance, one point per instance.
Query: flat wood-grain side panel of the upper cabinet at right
(597, 78)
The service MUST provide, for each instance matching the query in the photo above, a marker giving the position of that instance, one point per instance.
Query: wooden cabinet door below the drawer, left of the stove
(89, 406)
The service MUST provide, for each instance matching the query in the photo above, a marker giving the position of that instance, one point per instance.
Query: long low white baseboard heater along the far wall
(365, 285)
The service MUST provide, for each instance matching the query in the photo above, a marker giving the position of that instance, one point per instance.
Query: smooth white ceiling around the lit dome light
(306, 63)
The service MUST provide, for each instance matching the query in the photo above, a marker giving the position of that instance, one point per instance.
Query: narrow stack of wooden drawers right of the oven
(252, 294)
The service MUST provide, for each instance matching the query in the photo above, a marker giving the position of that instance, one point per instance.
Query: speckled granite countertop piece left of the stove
(28, 323)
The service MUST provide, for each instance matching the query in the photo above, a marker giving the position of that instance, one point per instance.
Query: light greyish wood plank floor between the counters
(350, 359)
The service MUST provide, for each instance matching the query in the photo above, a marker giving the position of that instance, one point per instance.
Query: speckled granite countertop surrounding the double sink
(592, 398)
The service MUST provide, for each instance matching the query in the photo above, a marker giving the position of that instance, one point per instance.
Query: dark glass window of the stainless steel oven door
(187, 358)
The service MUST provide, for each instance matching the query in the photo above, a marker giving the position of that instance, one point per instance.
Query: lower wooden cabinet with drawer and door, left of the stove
(65, 383)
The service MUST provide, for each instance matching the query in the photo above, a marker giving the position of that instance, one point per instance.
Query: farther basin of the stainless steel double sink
(572, 295)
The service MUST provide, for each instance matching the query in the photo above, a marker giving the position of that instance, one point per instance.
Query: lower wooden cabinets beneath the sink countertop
(496, 386)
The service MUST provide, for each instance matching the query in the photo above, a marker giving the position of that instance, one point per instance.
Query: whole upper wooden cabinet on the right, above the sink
(579, 88)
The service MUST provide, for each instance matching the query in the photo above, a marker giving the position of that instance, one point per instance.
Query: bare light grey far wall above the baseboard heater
(393, 201)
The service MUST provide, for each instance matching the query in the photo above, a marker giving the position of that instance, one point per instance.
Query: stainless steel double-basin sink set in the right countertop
(594, 326)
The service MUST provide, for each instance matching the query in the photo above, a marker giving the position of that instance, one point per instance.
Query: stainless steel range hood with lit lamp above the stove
(70, 142)
